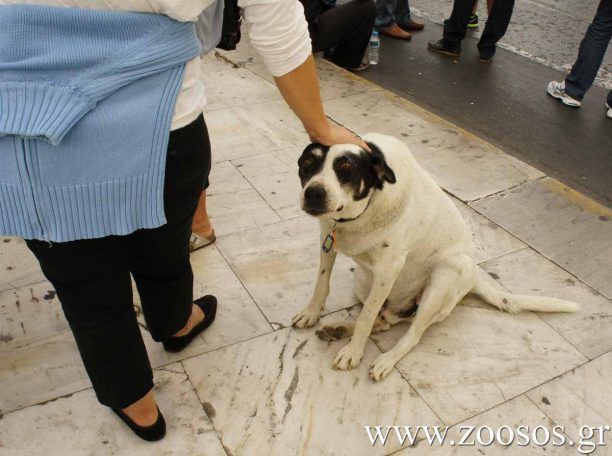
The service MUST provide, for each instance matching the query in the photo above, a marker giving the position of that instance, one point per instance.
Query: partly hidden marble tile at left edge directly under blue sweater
(18, 266)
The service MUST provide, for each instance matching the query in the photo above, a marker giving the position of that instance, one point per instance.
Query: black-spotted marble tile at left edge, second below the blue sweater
(29, 312)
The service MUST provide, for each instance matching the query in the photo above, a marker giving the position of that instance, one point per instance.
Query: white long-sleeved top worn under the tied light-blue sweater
(279, 33)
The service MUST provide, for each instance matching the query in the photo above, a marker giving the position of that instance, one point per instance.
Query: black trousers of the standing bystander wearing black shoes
(497, 24)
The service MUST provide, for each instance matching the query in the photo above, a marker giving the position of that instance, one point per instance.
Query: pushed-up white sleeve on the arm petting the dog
(279, 33)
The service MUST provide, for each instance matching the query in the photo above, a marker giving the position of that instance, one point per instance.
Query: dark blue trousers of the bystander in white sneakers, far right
(592, 50)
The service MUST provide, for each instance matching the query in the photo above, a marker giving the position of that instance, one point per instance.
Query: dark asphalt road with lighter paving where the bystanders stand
(506, 102)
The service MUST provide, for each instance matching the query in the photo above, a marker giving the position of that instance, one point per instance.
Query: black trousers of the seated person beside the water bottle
(344, 31)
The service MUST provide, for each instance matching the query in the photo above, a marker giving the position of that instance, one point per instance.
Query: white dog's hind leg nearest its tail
(448, 284)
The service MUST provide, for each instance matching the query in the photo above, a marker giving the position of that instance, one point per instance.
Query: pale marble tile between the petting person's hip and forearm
(233, 136)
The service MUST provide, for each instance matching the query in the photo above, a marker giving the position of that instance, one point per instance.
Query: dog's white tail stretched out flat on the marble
(514, 303)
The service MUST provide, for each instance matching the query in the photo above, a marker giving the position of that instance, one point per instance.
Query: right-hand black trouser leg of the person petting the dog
(159, 258)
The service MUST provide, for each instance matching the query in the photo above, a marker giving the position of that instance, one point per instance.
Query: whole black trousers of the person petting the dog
(92, 279)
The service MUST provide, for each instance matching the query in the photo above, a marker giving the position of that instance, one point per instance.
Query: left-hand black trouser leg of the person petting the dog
(94, 287)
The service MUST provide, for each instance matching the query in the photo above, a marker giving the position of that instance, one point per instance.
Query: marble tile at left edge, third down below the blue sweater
(43, 369)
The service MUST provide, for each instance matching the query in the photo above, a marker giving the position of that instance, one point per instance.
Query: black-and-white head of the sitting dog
(337, 181)
